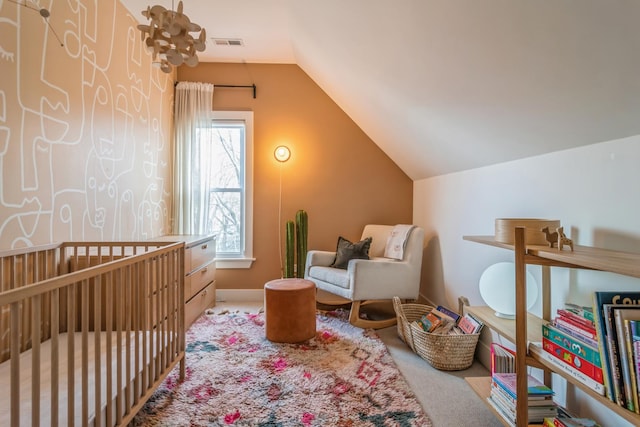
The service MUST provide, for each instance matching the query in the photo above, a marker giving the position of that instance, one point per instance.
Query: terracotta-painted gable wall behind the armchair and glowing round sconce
(336, 173)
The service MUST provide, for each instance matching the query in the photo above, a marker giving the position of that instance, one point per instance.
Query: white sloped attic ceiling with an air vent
(448, 85)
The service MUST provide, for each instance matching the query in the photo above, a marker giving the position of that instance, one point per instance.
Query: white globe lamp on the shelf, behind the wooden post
(498, 289)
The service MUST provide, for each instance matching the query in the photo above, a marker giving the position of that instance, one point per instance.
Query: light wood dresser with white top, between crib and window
(200, 273)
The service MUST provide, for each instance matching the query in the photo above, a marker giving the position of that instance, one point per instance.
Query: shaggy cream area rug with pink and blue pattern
(236, 377)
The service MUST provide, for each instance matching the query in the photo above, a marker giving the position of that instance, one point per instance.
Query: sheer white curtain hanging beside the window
(193, 106)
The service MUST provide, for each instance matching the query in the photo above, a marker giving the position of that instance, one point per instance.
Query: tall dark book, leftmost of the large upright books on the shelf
(600, 298)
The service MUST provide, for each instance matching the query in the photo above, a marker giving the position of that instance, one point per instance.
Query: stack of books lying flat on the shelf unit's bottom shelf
(503, 398)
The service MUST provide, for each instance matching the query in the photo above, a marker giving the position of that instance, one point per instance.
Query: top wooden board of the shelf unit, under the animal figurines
(625, 263)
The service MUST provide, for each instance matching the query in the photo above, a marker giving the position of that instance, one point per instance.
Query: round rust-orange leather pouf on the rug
(290, 310)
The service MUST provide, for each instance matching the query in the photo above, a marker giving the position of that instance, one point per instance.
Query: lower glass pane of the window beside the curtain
(225, 220)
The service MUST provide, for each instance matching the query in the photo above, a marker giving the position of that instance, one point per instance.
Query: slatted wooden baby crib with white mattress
(88, 330)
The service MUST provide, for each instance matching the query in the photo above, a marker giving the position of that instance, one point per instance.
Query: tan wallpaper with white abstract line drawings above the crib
(84, 128)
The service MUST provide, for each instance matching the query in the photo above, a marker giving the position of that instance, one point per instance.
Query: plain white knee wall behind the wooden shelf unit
(594, 191)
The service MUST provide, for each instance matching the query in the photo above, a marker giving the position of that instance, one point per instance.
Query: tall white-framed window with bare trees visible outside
(227, 157)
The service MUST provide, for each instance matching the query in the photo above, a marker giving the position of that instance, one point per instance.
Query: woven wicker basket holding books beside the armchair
(444, 352)
